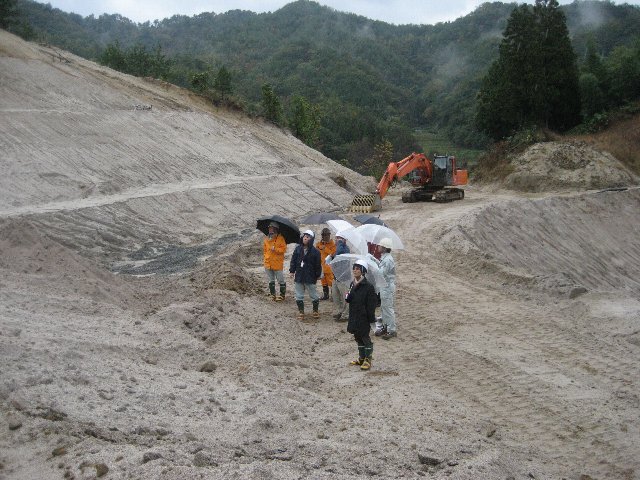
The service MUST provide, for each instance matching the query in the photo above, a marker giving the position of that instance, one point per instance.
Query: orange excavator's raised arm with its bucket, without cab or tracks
(416, 162)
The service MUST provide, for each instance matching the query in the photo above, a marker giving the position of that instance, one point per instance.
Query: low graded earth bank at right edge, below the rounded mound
(559, 244)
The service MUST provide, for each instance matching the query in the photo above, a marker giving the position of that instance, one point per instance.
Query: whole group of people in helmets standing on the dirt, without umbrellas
(310, 263)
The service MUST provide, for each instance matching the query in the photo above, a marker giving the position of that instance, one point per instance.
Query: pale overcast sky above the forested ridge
(390, 11)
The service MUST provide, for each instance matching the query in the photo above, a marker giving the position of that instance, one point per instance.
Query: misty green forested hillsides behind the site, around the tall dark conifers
(348, 85)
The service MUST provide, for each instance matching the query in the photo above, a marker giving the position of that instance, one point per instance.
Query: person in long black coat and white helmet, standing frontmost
(362, 313)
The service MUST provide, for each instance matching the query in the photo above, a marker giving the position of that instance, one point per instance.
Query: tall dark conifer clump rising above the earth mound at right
(534, 81)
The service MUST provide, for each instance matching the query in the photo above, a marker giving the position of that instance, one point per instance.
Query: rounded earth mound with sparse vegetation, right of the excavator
(554, 166)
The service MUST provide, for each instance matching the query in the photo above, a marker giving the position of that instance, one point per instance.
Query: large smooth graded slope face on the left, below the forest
(77, 146)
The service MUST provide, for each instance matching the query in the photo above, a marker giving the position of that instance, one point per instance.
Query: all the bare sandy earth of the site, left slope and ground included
(519, 319)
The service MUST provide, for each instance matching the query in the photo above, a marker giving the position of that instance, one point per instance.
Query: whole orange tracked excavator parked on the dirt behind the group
(432, 177)
